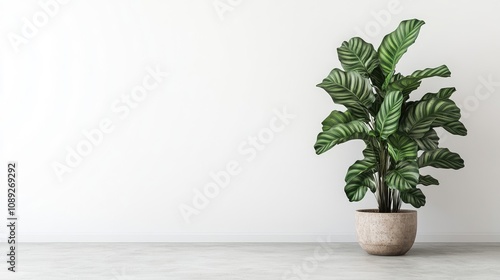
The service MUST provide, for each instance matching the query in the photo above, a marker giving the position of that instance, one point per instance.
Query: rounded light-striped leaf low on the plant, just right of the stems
(403, 177)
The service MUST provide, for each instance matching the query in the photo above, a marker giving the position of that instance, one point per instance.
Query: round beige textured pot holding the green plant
(386, 234)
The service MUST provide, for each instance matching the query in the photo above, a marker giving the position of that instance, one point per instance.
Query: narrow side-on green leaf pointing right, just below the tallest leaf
(411, 82)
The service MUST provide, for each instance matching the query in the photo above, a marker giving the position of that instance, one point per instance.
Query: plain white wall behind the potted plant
(227, 78)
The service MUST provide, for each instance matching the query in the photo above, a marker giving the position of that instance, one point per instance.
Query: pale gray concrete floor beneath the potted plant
(249, 261)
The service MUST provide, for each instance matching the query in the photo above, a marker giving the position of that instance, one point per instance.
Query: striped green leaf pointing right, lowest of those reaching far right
(441, 158)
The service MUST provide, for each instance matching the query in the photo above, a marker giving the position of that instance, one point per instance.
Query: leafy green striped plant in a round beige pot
(399, 133)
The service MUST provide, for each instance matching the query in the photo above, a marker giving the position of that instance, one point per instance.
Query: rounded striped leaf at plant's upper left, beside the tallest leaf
(358, 55)
